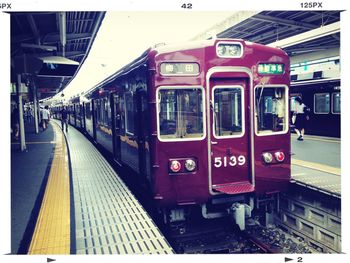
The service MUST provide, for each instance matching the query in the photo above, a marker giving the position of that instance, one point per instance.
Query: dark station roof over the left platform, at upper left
(44, 34)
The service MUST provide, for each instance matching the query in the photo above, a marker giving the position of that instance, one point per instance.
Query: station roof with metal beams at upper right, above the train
(267, 27)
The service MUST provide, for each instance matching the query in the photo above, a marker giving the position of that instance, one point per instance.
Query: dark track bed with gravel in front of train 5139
(222, 237)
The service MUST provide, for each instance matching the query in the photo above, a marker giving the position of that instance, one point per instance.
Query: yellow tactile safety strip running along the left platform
(52, 230)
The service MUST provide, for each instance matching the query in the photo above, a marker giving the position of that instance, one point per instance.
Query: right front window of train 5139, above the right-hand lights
(271, 110)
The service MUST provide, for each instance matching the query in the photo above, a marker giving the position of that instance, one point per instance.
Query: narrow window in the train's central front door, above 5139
(227, 111)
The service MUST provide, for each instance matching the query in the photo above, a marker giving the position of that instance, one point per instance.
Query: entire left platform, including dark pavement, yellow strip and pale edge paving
(67, 199)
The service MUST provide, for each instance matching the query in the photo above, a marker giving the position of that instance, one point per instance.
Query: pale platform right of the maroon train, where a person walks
(316, 164)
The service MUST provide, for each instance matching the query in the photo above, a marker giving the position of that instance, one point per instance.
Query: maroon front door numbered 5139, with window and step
(229, 145)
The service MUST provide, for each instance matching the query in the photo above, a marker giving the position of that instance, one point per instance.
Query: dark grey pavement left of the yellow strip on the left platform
(29, 172)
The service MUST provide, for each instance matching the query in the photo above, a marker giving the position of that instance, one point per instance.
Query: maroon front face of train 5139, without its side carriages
(220, 133)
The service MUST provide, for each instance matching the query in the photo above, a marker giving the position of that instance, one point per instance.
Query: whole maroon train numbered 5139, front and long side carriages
(205, 124)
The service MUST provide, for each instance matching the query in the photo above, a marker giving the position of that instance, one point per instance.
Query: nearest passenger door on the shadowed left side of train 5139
(117, 113)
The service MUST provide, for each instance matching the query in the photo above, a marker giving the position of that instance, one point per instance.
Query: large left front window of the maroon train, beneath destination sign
(180, 113)
